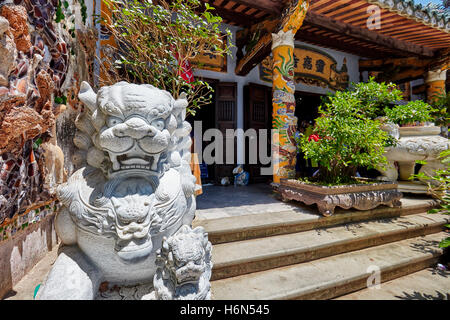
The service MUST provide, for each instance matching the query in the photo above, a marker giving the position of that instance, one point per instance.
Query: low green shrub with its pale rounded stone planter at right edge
(417, 139)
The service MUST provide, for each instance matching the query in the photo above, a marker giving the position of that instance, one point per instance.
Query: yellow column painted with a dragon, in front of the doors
(283, 88)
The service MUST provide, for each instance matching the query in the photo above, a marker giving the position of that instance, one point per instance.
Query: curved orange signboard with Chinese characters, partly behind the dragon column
(311, 67)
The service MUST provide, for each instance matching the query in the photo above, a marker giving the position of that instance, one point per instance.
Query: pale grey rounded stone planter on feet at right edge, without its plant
(414, 143)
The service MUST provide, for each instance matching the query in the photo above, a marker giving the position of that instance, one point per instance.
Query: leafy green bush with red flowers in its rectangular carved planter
(346, 137)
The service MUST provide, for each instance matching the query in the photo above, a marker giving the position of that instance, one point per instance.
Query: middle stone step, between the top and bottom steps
(243, 257)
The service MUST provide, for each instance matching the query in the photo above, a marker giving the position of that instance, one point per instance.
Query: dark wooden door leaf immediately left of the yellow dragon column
(257, 115)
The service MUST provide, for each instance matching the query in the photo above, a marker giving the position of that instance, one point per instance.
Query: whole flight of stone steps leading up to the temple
(292, 255)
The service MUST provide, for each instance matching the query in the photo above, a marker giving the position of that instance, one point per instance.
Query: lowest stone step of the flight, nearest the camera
(333, 276)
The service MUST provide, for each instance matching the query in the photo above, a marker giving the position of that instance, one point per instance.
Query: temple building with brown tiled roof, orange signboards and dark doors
(333, 44)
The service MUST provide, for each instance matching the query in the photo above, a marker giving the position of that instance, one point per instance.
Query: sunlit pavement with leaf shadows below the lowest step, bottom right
(428, 284)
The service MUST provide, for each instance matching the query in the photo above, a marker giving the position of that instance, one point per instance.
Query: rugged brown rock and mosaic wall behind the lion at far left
(40, 72)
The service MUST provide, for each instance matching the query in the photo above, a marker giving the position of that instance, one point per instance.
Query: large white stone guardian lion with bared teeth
(134, 189)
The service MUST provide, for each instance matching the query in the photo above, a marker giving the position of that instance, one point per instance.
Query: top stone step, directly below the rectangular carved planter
(253, 226)
